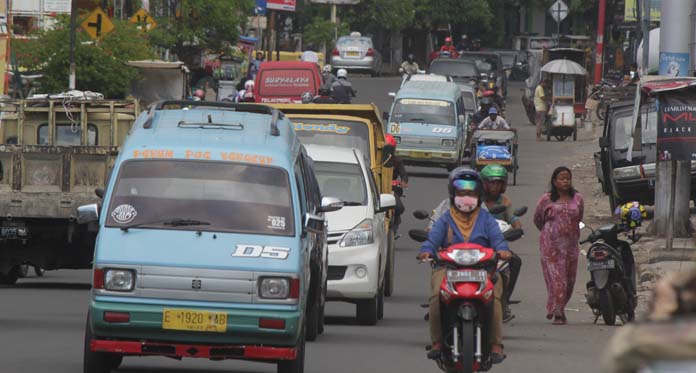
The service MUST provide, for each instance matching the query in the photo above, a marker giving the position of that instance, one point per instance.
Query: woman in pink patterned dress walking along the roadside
(557, 216)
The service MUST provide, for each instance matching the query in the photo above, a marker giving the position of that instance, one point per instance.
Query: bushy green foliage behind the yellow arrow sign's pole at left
(100, 66)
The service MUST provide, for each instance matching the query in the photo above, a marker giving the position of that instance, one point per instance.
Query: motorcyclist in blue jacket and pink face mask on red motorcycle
(464, 222)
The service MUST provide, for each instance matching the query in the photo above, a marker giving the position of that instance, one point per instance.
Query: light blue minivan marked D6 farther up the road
(427, 119)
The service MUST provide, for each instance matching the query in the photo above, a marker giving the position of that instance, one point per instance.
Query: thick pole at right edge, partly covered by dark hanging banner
(673, 186)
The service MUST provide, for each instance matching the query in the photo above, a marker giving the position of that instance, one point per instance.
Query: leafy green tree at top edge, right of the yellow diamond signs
(189, 27)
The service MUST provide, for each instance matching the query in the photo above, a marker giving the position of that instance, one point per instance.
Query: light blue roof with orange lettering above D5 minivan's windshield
(212, 134)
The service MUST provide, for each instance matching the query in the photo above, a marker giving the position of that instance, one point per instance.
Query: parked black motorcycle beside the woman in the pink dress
(611, 292)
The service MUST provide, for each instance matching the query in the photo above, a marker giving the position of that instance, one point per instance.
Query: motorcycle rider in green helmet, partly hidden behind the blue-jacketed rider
(494, 183)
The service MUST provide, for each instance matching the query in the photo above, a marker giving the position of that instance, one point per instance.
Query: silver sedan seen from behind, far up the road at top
(356, 52)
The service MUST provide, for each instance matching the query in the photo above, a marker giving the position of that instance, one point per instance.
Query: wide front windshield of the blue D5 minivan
(227, 197)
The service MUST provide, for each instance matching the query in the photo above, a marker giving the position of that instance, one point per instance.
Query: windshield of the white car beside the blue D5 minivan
(342, 180)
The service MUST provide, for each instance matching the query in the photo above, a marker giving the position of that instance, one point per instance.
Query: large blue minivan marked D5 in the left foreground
(212, 240)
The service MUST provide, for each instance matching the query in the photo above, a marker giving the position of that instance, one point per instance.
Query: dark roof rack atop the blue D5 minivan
(246, 108)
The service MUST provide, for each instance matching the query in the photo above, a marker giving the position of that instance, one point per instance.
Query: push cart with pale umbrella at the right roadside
(568, 94)
